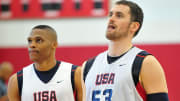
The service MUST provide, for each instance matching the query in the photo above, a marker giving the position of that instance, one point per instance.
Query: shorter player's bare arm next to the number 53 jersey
(79, 84)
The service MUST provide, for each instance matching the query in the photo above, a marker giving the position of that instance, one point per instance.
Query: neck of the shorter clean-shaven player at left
(45, 65)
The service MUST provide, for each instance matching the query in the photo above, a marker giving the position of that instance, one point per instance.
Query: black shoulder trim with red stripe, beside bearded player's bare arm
(137, 65)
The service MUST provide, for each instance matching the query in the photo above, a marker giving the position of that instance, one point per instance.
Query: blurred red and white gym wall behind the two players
(81, 26)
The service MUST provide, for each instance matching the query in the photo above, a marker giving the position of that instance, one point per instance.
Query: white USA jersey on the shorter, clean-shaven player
(59, 88)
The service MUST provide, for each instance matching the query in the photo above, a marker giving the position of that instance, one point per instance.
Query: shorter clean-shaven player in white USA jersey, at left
(47, 79)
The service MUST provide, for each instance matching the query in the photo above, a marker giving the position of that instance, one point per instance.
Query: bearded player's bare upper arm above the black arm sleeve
(152, 76)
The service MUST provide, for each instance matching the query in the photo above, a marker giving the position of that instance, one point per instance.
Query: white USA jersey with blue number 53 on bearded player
(112, 82)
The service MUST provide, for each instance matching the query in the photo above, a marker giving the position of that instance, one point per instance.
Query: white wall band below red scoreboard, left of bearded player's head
(70, 31)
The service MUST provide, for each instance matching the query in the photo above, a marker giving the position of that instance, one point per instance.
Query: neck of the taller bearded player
(117, 48)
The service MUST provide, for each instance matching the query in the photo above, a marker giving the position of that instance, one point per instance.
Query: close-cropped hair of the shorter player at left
(46, 27)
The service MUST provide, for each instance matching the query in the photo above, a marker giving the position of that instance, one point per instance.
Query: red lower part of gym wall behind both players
(167, 54)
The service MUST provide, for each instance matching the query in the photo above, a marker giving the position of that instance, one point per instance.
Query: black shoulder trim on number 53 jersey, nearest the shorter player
(87, 67)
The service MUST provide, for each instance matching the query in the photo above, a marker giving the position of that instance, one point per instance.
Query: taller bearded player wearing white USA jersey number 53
(124, 72)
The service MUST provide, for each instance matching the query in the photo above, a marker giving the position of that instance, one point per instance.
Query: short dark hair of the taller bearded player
(135, 11)
